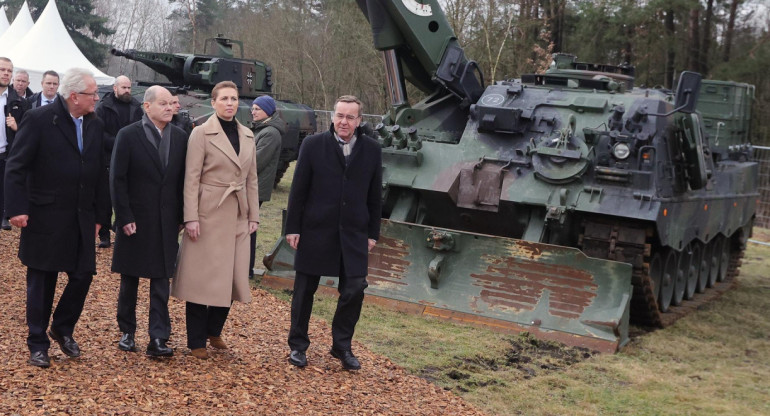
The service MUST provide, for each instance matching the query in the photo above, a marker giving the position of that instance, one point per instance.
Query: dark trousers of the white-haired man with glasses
(41, 286)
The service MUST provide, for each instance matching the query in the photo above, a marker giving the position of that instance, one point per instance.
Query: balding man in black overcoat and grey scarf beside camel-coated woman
(146, 184)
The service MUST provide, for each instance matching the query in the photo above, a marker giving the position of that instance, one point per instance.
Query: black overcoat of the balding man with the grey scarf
(144, 193)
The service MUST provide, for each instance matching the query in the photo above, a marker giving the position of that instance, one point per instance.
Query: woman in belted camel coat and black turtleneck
(221, 209)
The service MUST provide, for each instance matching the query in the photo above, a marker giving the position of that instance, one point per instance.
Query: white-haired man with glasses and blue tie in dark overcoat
(57, 193)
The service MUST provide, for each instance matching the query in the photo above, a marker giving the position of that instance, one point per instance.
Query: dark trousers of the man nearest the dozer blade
(351, 290)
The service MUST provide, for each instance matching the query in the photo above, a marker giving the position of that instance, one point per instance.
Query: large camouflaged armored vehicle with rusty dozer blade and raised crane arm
(566, 204)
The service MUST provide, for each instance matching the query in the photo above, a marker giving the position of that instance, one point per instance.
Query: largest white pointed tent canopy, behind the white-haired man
(48, 46)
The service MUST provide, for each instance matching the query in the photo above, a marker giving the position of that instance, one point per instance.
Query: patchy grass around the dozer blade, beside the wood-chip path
(715, 361)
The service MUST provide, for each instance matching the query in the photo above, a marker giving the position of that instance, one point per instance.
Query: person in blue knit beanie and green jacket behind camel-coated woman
(268, 129)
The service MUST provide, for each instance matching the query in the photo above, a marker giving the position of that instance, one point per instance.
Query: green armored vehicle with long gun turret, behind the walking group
(193, 77)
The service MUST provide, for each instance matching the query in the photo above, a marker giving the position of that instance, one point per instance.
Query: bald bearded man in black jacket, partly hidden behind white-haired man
(118, 109)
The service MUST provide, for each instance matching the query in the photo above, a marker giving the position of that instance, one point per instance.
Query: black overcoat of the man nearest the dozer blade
(333, 207)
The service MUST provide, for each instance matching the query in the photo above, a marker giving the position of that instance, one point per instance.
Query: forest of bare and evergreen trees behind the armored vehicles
(321, 49)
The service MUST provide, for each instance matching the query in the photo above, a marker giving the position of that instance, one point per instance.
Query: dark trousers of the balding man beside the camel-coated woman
(160, 323)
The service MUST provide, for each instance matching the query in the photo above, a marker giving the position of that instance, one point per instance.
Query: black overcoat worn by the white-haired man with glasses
(64, 192)
